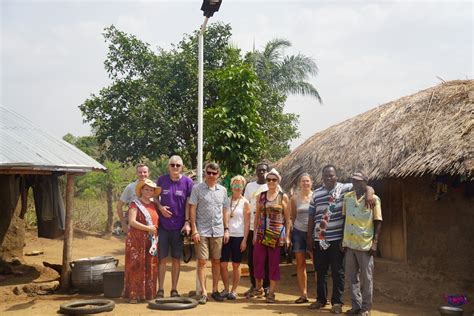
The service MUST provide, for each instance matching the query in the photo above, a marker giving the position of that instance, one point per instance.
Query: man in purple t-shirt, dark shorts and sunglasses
(174, 218)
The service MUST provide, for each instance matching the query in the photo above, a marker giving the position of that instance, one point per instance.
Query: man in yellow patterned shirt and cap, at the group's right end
(361, 234)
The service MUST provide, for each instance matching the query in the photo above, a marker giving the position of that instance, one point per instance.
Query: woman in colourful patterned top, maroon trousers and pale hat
(273, 216)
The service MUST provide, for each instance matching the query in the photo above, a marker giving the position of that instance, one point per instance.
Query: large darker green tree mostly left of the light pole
(150, 109)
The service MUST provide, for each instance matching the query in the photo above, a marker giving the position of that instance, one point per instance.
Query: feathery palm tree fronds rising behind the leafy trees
(286, 74)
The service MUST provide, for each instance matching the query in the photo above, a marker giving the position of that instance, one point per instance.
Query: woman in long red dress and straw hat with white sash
(141, 261)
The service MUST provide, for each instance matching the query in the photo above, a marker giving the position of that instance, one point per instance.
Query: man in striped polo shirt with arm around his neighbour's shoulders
(325, 232)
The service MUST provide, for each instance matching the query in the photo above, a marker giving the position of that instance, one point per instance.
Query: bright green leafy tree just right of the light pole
(234, 124)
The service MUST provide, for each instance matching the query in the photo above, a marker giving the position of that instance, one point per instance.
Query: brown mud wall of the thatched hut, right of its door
(440, 233)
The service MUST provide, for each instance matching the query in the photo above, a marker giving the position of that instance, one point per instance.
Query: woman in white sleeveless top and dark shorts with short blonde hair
(239, 224)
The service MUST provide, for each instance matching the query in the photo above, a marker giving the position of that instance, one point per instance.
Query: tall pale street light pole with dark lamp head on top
(209, 7)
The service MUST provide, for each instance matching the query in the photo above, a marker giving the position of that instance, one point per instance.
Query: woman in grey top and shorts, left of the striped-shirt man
(299, 215)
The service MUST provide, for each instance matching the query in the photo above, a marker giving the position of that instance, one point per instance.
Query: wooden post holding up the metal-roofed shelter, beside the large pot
(68, 233)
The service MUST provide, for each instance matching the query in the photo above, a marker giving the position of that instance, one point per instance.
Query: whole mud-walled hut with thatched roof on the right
(419, 154)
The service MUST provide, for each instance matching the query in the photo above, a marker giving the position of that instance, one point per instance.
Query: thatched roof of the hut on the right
(430, 132)
